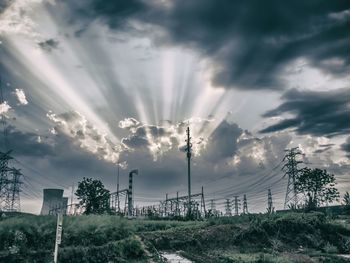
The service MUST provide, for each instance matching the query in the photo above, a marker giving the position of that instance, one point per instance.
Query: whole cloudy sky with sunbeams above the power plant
(88, 84)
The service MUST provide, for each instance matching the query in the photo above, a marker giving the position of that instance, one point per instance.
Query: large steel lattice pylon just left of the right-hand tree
(291, 170)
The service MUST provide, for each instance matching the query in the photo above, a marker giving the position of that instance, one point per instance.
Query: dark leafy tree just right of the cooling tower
(93, 196)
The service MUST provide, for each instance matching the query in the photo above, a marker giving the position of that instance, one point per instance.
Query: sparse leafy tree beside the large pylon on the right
(318, 187)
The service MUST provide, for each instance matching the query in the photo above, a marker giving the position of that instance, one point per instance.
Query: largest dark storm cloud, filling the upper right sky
(249, 42)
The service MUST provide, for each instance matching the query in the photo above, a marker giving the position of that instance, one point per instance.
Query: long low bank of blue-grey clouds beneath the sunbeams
(62, 156)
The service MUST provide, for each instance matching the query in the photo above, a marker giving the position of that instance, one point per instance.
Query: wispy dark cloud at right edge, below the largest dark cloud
(318, 113)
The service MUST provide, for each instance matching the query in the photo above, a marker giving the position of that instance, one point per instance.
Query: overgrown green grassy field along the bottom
(292, 237)
